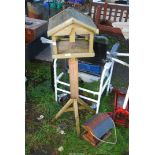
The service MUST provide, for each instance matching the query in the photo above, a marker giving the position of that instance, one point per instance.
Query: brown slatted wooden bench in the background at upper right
(105, 14)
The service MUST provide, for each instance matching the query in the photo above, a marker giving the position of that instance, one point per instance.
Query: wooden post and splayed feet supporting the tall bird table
(74, 103)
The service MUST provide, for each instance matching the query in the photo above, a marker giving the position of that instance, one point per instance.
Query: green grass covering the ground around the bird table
(43, 136)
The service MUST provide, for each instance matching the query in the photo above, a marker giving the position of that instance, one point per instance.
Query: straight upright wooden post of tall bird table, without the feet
(73, 72)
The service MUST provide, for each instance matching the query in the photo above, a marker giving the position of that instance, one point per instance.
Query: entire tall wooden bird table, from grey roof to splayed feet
(72, 37)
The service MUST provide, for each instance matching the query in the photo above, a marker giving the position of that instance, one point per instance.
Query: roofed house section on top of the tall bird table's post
(72, 34)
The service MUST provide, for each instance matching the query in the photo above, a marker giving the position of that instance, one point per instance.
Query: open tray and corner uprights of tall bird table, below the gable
(78, 49)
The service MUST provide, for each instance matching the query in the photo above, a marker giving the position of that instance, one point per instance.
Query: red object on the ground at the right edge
(120, 116)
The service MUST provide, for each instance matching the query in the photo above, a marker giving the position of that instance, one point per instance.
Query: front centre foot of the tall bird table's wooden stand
(76, 117)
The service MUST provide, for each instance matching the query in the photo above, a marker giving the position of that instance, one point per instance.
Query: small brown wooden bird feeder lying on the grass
(97, 128)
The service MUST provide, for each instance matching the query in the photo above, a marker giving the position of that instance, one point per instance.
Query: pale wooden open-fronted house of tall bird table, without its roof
(82, 47)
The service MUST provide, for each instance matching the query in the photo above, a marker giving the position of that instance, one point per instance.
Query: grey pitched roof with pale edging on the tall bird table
(68, 16)
